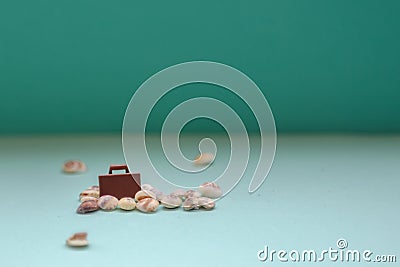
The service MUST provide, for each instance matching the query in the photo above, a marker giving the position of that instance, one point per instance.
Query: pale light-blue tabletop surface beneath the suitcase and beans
(320, 189)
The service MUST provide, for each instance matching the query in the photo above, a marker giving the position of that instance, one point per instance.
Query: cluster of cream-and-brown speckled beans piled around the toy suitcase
(149, 198)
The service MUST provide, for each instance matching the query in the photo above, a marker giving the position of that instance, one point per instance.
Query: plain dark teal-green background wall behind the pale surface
(72, 66)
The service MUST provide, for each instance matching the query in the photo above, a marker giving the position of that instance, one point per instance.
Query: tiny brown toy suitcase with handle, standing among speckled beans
(119, 185)
